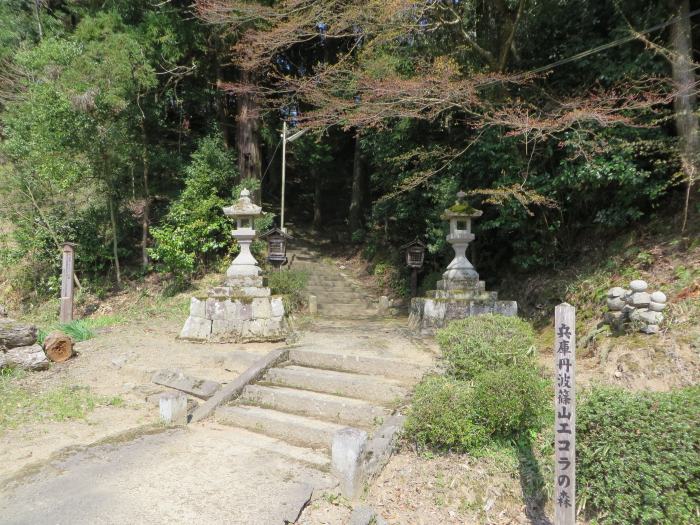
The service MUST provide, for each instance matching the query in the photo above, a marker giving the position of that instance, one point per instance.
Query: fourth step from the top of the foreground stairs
(297, 430)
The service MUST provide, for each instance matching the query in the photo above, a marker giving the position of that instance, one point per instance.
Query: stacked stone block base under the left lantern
(237, 312)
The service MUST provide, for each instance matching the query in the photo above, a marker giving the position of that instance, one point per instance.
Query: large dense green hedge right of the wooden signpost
(638, 456)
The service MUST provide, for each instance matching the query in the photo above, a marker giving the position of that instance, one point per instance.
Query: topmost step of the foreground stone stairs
(361, 364)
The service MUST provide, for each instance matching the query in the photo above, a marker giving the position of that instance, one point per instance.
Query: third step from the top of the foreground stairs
(336, 409)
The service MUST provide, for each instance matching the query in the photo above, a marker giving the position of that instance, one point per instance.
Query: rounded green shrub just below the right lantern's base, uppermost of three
(486, 342)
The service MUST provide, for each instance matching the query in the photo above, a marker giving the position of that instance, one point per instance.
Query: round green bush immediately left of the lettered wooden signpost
(509, 401)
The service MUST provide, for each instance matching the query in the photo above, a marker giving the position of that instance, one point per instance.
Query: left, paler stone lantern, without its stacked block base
(245, 213)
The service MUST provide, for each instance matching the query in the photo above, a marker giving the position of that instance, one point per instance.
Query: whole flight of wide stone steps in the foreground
(314, 394)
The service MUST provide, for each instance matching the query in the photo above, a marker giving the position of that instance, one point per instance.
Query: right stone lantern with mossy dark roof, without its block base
(460, 217)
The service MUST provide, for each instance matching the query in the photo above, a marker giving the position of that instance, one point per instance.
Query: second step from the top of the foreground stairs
(376, 389)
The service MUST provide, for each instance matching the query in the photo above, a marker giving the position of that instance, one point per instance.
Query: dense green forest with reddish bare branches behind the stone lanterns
(127, 124)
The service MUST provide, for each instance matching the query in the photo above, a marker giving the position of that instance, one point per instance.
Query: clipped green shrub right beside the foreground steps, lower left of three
(442, 415)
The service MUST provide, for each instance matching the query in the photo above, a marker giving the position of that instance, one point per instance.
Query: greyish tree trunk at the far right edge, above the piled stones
(685, 100)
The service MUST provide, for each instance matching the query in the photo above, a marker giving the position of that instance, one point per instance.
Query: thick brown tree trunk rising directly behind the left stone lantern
(247, 132)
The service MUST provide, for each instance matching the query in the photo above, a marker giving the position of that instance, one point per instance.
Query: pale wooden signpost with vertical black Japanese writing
(565, 415)
